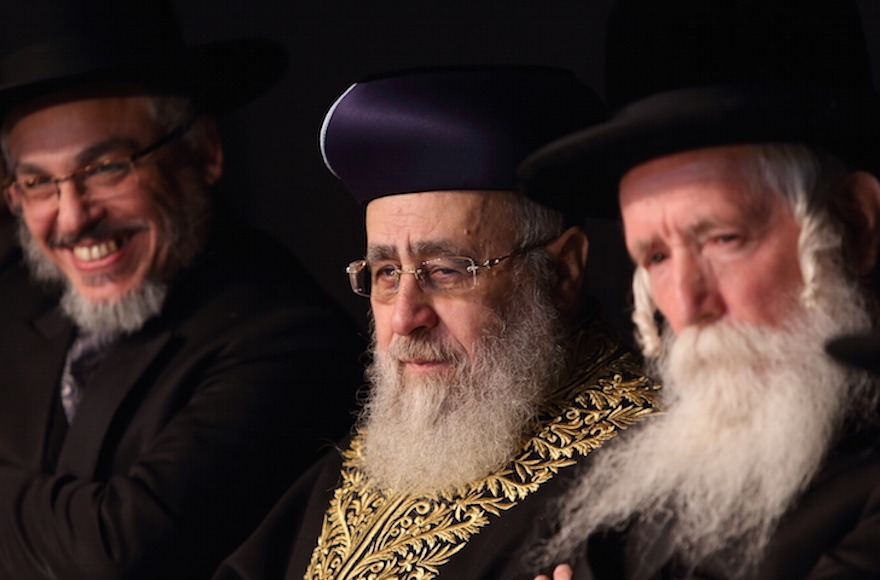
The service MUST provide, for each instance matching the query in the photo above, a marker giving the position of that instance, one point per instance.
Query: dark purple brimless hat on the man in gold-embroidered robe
(449, 128)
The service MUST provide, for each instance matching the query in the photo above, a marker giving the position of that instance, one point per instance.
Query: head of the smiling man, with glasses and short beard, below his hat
(110, 229)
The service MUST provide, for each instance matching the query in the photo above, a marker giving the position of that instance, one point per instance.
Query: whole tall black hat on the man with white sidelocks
(688, 74)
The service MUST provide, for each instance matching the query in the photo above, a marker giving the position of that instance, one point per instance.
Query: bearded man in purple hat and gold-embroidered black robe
(489, 380)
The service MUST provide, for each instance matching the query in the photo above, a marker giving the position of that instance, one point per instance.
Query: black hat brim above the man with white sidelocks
(580, 173)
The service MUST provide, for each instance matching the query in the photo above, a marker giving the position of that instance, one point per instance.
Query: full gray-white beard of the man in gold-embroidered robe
(438, 432)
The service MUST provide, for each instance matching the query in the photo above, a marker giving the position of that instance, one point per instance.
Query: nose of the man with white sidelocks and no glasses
(695, 297)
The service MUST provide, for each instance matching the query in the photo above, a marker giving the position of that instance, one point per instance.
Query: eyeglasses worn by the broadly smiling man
(95, 180)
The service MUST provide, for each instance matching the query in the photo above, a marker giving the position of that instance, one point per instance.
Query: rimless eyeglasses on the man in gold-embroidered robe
(442, 274)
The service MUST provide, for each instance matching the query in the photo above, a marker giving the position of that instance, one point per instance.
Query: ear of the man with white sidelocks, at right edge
(859, 209)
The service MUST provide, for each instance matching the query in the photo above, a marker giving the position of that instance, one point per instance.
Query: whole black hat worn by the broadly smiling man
(53, 45)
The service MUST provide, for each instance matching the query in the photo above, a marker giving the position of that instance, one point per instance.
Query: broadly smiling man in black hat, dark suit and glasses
(166, 371)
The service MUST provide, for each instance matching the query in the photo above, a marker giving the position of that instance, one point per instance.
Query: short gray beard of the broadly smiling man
(123, 316)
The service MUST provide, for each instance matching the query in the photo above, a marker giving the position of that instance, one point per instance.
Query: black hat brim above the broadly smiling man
(219, 76)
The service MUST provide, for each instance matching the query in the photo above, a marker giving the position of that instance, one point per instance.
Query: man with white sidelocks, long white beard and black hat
(744, 148)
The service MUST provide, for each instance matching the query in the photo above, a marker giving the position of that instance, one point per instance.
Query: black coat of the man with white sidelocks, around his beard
(833, 532)
